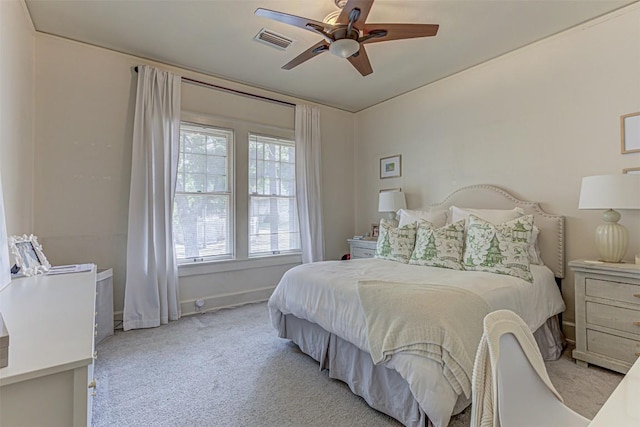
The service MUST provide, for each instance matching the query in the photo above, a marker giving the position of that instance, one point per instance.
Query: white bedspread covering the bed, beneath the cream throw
(326, 293)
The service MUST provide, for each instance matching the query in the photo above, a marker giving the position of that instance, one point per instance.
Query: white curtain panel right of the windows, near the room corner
(308, 177)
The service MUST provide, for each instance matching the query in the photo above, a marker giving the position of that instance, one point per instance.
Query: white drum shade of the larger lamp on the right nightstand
(610, 192)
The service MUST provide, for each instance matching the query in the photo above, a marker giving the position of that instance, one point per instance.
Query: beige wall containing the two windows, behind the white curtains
(85, 99)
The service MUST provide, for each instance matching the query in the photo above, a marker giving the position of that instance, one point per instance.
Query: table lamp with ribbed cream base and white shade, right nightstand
(611, 192)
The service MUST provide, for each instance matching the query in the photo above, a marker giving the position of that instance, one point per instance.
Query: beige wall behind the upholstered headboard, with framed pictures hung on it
(533, 122)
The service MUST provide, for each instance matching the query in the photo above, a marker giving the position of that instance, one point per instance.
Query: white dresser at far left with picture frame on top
(49, 380)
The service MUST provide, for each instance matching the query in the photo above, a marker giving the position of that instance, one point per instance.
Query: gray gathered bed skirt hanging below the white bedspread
(383, 388)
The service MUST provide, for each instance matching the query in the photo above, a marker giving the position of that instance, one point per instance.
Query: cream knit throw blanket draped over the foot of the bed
(437, 322)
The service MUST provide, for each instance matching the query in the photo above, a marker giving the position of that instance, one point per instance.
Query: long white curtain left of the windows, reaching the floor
(151, 295)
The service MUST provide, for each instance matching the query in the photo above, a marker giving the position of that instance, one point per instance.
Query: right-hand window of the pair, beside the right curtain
(273, 214)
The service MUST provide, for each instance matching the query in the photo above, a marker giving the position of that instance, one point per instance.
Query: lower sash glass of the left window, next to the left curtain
(201, 226)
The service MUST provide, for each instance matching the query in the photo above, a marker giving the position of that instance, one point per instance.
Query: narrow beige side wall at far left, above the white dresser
(16, 115)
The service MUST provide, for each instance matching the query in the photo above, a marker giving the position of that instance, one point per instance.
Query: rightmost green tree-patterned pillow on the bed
(501, 249)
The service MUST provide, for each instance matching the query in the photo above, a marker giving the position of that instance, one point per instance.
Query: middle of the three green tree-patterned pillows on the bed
(439, 247)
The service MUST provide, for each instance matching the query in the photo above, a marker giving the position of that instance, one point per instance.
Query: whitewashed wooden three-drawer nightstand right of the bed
(607, 314)
